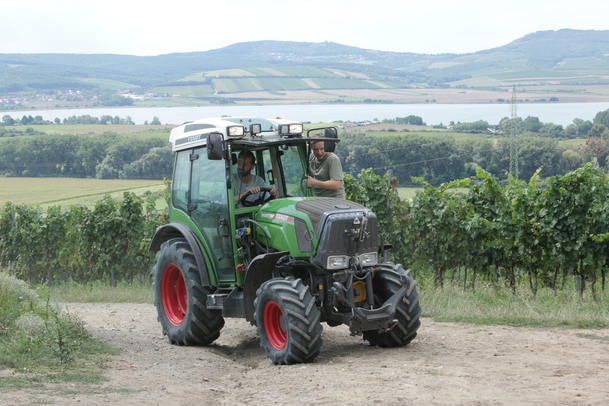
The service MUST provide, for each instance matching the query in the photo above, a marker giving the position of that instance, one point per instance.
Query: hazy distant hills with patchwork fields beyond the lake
(323, 71)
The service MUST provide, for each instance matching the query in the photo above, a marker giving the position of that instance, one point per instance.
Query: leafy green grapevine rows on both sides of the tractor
(540, 233)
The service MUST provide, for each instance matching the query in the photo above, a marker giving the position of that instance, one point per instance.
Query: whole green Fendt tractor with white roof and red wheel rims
(285, 263)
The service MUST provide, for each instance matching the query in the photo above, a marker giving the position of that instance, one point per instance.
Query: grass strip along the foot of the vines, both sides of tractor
(486, 306)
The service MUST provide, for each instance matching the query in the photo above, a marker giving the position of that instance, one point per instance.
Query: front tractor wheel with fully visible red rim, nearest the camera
(287, 321)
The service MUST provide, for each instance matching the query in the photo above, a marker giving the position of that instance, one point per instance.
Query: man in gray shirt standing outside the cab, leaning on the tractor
(326, 172)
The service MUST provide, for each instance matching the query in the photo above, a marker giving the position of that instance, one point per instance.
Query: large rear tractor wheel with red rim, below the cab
(180, 298)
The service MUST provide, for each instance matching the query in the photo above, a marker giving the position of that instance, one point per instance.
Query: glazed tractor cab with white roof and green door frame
(205, 183)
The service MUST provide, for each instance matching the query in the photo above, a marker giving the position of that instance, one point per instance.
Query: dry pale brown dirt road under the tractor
(447, 364)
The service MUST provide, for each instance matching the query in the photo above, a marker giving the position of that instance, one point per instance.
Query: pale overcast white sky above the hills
(135, 27)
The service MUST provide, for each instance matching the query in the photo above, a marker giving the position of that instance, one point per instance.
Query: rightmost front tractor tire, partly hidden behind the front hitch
(386, 282)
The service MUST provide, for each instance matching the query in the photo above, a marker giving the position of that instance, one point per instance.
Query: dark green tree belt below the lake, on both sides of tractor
(436, 156)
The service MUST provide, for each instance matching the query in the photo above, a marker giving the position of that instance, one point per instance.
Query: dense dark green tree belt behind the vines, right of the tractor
(438, 157)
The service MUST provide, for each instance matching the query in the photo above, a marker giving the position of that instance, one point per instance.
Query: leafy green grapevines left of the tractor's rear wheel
(108, 243)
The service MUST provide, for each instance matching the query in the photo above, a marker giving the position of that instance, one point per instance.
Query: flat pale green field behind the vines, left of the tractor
(70, 191)
